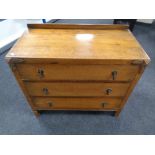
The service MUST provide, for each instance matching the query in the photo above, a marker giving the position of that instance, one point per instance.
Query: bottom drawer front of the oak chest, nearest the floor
(76, 103)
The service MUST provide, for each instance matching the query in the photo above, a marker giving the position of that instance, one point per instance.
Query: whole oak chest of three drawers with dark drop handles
(77, 67)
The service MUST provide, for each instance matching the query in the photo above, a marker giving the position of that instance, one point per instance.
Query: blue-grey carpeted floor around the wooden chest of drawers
(138, 116)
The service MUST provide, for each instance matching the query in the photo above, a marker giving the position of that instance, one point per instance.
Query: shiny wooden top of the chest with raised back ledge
(85, 42)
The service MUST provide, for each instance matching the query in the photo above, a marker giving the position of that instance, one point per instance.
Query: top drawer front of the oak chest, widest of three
(77, 72)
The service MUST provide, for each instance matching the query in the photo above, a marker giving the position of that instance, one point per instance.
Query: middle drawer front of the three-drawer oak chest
(76, 89)
